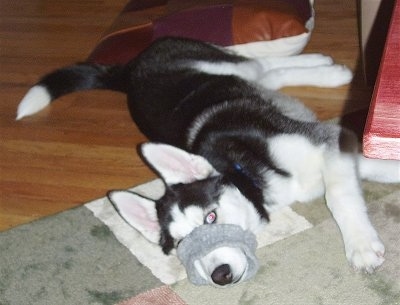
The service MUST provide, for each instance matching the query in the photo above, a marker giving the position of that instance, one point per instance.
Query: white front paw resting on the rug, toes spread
(366, 254)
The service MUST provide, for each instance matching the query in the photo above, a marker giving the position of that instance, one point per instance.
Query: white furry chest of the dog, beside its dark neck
(303, 161)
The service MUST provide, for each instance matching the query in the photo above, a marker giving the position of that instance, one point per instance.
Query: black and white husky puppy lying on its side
(234, 149)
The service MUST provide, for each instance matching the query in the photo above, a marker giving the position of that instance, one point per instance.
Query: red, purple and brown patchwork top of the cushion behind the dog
(223, 22)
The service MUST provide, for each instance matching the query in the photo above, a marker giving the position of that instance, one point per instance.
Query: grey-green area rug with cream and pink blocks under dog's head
(88, 255)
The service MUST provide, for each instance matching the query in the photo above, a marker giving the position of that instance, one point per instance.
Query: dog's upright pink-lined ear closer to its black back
(175, 165)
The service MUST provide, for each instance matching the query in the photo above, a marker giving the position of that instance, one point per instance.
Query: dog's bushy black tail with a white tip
(84, 76)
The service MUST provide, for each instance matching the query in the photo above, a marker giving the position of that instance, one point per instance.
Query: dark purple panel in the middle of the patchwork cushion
(212, 24)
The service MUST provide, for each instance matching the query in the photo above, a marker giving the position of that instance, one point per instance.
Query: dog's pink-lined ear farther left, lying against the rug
(137, 211)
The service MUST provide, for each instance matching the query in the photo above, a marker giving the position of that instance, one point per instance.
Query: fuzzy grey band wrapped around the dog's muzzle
(207, 238)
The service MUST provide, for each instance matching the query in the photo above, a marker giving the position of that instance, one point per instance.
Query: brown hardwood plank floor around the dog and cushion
(84, 144)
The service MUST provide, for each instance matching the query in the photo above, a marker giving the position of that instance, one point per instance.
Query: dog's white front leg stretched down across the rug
(364, 250)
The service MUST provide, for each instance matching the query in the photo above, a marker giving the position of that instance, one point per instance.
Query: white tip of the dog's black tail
(35, 100)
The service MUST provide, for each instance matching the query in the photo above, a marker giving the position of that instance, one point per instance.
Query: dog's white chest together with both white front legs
(315, 169)
